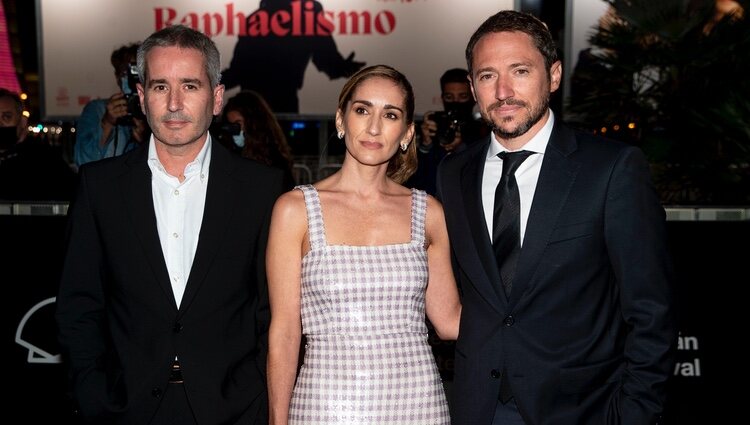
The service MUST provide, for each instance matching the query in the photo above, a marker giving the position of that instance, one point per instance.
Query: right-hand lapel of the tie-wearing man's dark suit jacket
(555, 181)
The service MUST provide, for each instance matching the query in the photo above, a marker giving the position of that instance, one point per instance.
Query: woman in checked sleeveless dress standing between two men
(354, 263)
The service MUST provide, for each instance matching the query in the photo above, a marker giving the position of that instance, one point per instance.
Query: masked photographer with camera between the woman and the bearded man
(446, 131)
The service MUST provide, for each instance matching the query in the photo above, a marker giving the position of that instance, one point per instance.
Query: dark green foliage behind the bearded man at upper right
(684, 85)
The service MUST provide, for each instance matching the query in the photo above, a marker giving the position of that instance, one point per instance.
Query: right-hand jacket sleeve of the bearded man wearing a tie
(636, 242)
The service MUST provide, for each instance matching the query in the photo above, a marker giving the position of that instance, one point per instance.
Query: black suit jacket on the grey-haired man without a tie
(119, 324)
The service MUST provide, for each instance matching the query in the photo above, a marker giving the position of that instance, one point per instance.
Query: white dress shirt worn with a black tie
(527, 173)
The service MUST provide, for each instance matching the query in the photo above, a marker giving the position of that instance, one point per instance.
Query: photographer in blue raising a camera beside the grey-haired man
(110, 127)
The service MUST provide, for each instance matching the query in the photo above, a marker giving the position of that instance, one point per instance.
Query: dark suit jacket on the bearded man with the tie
(587, 335)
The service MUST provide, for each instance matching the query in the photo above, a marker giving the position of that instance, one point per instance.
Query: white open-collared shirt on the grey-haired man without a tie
(179, 213)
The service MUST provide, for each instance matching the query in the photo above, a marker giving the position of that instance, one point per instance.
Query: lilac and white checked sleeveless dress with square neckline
(367, 360)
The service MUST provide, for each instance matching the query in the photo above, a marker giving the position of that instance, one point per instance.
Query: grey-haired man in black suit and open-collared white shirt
(162, 307)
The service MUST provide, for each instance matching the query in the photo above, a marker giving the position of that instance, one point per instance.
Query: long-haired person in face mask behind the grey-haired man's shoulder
(256, 134)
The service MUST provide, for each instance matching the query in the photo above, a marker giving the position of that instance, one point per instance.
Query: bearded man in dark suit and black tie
(579, 328)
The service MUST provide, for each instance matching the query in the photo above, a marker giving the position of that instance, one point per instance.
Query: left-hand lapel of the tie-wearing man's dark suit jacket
(476, 256)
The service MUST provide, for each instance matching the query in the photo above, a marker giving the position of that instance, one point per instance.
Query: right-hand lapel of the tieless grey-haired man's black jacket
(218, 207)
